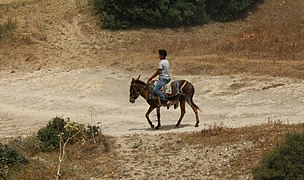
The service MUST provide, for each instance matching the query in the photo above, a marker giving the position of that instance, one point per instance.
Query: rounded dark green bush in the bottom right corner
(285, 162)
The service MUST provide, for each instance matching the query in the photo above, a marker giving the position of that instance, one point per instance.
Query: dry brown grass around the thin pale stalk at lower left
(82, 161)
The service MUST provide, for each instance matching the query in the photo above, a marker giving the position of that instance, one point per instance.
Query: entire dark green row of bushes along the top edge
(117, 14)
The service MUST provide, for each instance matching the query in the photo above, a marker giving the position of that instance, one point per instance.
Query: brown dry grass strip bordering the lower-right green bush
(264, 137)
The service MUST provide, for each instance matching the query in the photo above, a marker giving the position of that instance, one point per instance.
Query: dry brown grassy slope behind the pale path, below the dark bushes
(54, 33)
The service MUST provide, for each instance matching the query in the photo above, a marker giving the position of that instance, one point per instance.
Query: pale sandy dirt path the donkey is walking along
(29, 100)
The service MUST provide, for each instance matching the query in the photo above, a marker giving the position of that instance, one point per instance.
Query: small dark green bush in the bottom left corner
(9, 158)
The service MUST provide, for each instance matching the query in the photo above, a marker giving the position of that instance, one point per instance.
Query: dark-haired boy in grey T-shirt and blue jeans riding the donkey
(163, 70)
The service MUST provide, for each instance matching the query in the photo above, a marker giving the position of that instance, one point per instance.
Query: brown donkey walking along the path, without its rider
(139, 87)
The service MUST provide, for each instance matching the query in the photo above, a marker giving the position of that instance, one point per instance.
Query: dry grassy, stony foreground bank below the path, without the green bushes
(232, 153)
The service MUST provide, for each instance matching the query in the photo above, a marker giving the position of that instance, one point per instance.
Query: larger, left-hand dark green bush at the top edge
(118, 14)
